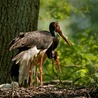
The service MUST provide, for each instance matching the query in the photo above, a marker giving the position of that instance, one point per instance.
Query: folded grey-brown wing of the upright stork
(40, 39)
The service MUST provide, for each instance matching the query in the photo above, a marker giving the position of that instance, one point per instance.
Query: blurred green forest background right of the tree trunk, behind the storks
(79, 22)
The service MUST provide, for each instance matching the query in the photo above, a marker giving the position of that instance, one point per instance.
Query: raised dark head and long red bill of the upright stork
(54, 26)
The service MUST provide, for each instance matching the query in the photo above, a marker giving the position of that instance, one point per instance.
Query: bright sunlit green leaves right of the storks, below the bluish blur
(83, 57)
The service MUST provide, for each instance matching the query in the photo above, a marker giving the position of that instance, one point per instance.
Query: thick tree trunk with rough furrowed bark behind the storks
(15, 16)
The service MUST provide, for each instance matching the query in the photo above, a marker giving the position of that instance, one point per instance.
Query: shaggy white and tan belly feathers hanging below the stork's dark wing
(28, 60)
